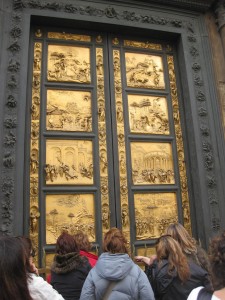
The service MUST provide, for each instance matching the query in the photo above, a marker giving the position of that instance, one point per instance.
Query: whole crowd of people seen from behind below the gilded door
(179, 270)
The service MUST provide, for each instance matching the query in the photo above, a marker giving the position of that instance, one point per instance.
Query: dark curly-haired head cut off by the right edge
(217, 260)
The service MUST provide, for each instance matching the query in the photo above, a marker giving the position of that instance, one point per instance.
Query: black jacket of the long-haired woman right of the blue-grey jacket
(169, 286)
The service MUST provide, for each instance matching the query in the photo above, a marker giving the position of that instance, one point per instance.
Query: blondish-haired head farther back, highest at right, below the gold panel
(180, 234)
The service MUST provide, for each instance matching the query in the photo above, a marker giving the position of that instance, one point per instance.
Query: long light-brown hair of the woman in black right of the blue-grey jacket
(169, 249)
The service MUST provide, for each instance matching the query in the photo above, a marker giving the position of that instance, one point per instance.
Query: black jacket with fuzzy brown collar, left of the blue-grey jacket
(68, 274)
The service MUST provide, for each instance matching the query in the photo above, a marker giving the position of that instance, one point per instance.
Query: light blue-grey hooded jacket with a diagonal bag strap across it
(131, 282)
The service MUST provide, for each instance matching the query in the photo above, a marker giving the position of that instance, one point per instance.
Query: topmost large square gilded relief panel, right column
(144, 71)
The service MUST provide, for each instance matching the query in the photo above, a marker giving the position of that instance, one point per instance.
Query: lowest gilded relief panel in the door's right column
(153, 214)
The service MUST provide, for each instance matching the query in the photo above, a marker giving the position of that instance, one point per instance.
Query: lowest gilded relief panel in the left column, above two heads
(70, 213)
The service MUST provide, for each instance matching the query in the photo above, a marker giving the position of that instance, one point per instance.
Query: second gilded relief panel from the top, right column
(148, 114)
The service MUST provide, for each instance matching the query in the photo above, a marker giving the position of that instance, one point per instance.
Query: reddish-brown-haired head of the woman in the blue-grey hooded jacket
(115, 241)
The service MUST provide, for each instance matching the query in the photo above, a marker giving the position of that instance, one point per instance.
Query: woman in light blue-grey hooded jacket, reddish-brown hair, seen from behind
(115, 275)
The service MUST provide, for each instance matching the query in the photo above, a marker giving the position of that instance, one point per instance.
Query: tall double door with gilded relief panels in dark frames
(106, 143)
